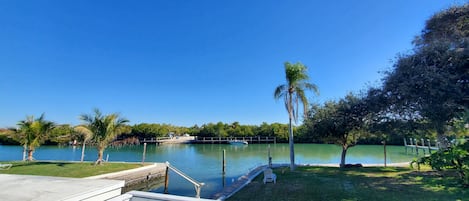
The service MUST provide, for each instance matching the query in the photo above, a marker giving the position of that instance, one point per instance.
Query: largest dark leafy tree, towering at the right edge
(431, 84)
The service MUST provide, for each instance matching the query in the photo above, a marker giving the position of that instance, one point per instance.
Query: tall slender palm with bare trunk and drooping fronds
(293, 93)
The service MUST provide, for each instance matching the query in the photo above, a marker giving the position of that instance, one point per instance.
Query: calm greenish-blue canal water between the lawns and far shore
(204, 162)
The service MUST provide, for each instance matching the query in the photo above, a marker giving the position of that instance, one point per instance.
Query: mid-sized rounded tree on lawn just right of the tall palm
(339, 122)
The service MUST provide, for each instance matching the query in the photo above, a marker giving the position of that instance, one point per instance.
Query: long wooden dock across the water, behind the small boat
(226, 140)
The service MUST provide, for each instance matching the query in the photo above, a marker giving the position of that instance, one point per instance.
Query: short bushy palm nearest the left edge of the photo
(32, 133)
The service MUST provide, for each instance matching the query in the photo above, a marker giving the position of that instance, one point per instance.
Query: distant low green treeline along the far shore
(64, 134)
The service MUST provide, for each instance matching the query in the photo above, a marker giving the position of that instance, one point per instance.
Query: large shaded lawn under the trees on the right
(329, 183)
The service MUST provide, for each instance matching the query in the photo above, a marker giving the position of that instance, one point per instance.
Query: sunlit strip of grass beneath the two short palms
(66, 169)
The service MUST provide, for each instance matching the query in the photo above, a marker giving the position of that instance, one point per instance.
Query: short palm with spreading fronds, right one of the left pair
(102, 128)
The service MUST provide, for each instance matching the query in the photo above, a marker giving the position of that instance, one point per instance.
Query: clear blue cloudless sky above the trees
(186, 62)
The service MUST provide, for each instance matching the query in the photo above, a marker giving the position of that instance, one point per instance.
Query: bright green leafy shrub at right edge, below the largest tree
(453, 158)
